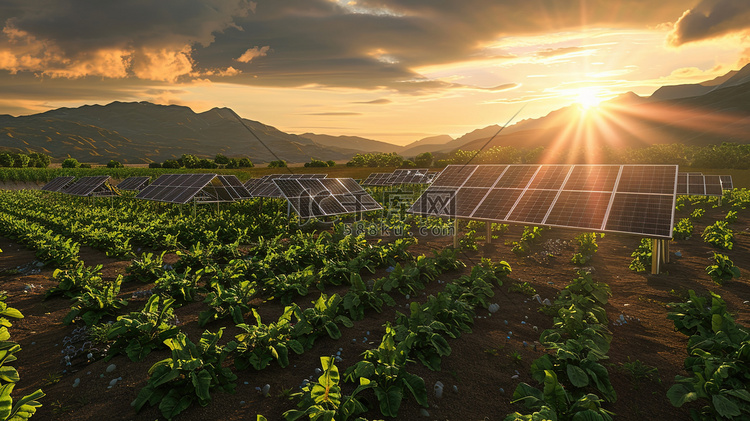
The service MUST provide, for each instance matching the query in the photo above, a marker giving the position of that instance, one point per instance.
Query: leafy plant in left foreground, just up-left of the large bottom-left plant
(138, 333)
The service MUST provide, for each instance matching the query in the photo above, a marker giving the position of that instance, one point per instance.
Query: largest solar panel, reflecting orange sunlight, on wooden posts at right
(633, 199)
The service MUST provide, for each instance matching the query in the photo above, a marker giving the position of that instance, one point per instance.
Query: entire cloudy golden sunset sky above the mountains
(390, 70)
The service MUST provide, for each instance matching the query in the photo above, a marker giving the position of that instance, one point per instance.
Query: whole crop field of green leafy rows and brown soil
(136, 310)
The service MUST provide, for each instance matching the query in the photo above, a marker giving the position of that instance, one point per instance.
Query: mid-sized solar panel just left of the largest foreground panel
(325, 196)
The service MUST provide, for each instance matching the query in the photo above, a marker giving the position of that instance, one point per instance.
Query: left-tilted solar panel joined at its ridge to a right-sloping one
(175, 188)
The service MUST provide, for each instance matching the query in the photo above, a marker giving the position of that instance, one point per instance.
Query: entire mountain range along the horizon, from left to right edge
(705, 113)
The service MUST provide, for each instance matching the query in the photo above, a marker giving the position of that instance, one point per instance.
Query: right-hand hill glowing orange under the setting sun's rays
(721, 115)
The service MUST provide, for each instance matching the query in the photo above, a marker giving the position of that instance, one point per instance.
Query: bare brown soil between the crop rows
(480, 366)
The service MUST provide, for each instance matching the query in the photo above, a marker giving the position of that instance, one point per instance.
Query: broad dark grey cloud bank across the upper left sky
(371, 44)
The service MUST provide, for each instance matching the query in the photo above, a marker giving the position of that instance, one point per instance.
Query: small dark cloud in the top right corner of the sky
(710, 19)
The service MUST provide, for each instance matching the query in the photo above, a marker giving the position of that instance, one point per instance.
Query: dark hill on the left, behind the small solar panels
(144, 132)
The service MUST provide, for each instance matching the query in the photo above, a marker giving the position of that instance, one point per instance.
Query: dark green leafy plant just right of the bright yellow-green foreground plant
(385, 367)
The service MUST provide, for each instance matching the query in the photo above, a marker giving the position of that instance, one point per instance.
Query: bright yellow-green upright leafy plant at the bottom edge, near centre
(323, 400)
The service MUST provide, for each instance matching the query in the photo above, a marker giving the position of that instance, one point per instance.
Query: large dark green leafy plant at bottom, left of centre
(188, 375)
